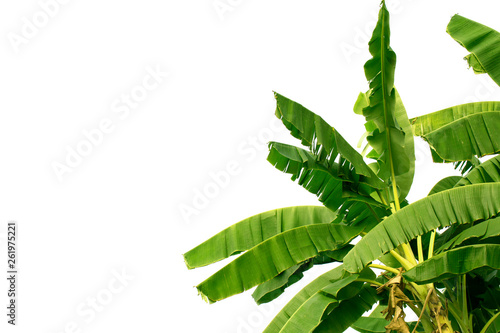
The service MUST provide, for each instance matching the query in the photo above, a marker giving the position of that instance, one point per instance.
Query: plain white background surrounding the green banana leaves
(119, 209)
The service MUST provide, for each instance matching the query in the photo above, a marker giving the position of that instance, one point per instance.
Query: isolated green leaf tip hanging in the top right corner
(483, 43)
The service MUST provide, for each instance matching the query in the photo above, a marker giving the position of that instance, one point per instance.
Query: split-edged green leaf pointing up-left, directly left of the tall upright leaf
(323, 140)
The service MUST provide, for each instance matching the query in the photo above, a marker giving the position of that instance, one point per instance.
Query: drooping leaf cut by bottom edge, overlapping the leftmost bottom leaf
(312, 312)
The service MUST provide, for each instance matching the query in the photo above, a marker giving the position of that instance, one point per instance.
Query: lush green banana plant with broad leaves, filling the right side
(437, 257)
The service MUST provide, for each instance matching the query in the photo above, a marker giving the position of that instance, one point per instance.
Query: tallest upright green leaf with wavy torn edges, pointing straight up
(386, 135)
